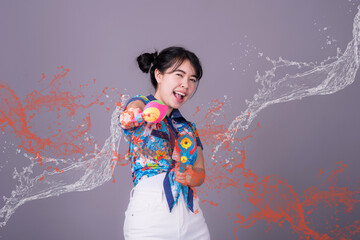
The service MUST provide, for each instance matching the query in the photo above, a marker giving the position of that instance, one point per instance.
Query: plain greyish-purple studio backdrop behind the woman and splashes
(101, 39)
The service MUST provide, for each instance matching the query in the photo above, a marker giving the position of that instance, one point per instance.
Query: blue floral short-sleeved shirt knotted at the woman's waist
(151, 147)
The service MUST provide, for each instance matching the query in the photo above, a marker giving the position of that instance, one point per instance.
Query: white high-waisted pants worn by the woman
(148, 216)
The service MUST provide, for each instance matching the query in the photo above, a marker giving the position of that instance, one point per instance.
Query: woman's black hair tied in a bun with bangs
(171, 56)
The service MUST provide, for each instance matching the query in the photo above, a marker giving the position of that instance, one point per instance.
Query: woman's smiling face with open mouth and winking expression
(175, 87)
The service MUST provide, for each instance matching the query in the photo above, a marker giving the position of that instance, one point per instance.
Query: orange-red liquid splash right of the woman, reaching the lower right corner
(274, 199)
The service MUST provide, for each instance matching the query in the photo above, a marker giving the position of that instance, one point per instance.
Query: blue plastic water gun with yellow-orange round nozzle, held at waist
(186, 148)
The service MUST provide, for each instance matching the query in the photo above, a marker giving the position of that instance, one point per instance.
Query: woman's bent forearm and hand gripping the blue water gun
(194, 175)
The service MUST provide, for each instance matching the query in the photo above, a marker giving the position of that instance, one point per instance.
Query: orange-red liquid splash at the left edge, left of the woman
(55, 102)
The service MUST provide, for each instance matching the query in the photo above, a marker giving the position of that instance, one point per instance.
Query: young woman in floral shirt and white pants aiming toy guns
(162, 203)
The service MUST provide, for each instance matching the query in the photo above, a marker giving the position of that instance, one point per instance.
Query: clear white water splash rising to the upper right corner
(310, 80)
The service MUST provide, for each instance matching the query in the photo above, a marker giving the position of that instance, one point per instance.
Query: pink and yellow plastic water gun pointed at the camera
(154, 112)
